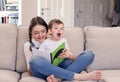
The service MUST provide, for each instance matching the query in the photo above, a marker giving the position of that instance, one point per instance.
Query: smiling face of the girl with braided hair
(39, 33)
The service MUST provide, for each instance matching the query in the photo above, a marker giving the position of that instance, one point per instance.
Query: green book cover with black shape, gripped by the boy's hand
(56, 60)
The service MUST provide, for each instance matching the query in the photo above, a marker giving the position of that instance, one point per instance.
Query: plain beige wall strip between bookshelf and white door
(28, 11)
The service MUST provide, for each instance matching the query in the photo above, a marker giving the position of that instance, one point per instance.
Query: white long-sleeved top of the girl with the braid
(27, 52)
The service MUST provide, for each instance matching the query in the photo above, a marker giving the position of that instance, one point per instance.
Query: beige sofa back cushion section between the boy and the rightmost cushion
(75, 38)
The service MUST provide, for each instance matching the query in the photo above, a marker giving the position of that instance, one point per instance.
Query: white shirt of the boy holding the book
(50, 45)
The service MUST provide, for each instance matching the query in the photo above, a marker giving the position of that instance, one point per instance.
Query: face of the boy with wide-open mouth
(57, 31)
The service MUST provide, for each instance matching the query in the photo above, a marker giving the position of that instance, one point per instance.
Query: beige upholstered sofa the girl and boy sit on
(103, 41)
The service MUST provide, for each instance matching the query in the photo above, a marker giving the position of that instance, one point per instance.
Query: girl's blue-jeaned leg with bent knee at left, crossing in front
(42, 66)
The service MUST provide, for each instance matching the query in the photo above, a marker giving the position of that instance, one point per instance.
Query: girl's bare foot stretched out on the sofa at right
(94, 75)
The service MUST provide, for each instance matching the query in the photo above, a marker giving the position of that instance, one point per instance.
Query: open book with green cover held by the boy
(53, 57)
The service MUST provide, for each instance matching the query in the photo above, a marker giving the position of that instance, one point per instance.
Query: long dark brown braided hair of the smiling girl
(36, 21)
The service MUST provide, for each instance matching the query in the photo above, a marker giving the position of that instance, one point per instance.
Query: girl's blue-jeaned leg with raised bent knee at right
(82, 62)
